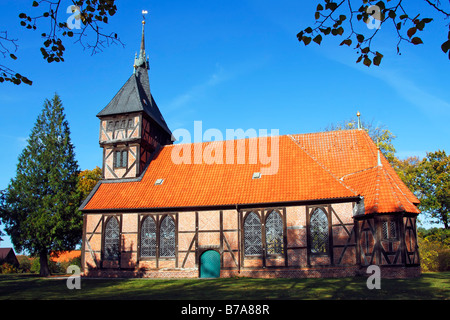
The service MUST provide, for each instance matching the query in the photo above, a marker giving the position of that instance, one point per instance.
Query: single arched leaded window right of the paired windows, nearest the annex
(319, 232)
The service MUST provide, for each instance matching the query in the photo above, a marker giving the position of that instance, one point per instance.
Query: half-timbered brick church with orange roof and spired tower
(330, 205)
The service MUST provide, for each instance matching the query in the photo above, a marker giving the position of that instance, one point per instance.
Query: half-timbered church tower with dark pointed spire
(131, 125)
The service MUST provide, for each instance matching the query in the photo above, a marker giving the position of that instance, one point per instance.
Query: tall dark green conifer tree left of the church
(40, 206)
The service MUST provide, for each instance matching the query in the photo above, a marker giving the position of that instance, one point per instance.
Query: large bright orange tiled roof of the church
(328, 165)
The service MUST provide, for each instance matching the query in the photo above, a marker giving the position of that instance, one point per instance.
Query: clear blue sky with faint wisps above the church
(230, 64)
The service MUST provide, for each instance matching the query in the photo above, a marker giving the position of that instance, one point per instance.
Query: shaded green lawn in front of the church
(434, 286)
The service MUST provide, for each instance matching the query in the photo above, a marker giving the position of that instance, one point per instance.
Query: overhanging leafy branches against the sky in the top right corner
(359, 22)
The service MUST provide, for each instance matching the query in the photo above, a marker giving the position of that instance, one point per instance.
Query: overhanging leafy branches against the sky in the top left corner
(83, 21)
